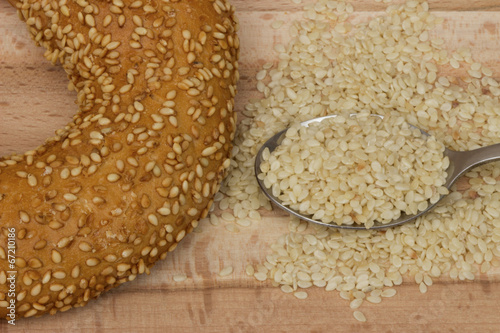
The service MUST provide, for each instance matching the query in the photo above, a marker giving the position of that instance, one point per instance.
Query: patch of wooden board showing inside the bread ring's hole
(34, 98)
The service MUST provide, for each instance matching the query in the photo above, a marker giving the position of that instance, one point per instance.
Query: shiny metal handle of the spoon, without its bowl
(462, 161)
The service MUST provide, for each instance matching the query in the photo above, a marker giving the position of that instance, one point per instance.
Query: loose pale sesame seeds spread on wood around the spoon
(390, 63)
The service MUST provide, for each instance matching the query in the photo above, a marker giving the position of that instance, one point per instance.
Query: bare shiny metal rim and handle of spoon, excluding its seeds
(460, 162)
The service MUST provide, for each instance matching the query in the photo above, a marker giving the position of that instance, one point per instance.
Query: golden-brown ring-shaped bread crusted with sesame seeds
(138, 166)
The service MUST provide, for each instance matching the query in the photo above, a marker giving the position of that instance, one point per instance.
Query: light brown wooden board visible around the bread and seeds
(34, 102)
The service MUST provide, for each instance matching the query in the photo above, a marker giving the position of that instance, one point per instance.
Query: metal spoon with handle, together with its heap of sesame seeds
(360, 171)
